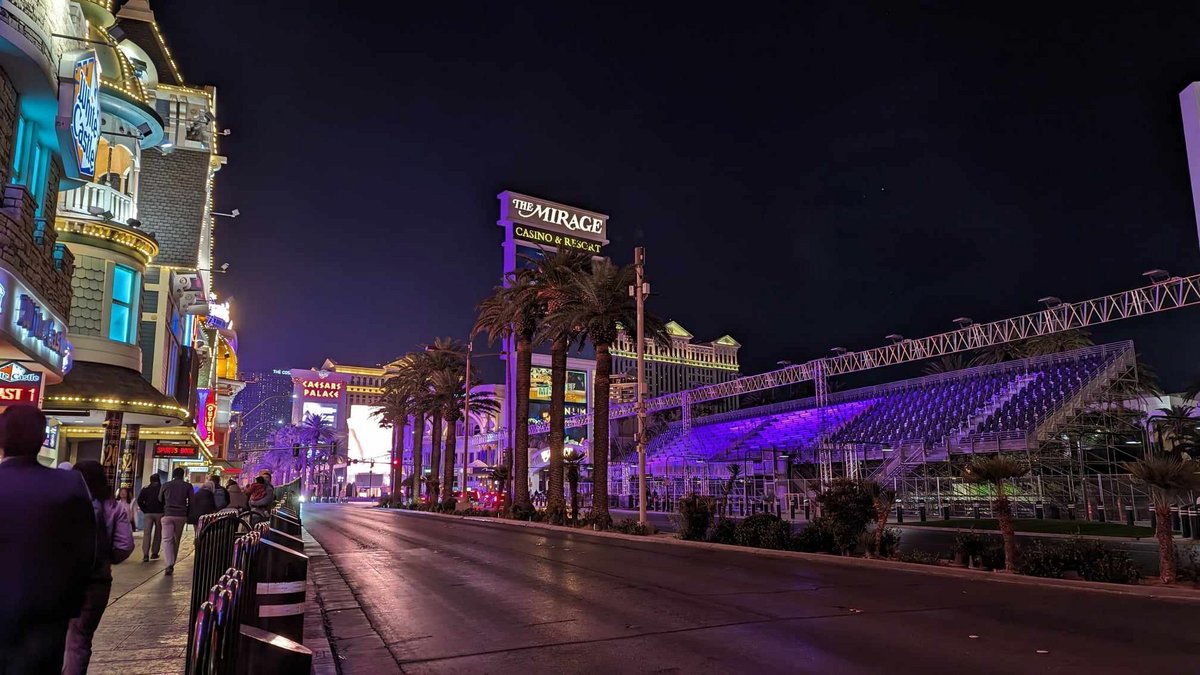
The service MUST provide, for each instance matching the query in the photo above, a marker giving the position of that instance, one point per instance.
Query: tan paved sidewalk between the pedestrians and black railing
(145, 630)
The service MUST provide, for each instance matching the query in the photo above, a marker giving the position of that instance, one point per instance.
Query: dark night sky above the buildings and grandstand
(802, 177)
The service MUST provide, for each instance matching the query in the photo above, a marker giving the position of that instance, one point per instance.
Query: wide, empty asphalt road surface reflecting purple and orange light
(463, 596)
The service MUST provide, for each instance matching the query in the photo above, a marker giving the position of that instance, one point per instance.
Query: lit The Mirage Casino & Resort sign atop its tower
(543, 218)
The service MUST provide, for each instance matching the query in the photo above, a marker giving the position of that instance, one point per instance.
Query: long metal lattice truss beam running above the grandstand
(1171, 295)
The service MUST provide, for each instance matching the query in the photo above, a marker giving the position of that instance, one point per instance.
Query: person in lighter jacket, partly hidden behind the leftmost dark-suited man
(115, 543)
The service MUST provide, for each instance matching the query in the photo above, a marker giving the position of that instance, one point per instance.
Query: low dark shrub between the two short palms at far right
(1088, 558)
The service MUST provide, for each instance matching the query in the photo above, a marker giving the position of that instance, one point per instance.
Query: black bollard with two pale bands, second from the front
(278, 590)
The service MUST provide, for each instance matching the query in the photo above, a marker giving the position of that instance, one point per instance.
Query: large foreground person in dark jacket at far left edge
(49, 549)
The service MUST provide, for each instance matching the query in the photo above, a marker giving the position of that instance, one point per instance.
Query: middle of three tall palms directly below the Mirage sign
(555, 274)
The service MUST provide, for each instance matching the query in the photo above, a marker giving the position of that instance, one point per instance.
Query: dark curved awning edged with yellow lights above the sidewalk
(93, 389)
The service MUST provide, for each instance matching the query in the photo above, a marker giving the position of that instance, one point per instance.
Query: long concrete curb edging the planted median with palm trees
(1159, 593)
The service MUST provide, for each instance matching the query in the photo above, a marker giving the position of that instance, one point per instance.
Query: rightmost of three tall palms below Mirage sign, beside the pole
(593, 306)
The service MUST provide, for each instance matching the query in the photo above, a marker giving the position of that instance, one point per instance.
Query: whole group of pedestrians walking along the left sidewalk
(64, 530)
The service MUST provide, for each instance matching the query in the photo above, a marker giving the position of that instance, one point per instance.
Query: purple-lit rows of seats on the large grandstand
(1012, 398)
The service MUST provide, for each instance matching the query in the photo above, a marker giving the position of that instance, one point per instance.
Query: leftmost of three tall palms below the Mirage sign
(515, 312)
